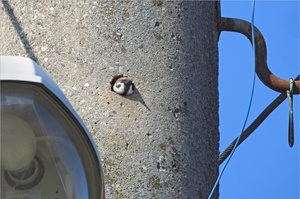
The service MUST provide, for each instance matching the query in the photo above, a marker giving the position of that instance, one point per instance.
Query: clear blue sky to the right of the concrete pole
(264, 166)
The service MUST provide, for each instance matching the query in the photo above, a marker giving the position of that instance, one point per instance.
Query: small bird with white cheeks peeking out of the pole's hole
(123, 86)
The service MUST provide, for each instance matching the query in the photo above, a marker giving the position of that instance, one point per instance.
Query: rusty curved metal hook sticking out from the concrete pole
(261, 67)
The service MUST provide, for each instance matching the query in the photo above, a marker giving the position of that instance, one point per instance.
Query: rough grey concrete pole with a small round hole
(161, 142)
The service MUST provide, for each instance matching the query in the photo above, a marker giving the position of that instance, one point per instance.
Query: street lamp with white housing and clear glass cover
(46, 150)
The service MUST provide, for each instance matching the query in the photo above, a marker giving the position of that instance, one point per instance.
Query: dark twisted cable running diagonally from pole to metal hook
(263, 115)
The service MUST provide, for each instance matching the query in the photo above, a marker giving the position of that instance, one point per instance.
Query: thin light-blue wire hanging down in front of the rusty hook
(249, 107)
